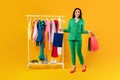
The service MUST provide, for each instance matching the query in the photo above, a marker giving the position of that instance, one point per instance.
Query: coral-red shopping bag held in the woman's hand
(94, 43)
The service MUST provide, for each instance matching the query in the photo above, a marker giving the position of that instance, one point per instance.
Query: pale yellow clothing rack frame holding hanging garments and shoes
(29, 27)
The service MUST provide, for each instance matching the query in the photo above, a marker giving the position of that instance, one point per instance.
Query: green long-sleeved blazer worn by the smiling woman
(75, 29)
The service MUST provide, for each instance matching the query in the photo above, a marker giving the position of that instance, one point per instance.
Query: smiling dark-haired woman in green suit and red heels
(75, 29)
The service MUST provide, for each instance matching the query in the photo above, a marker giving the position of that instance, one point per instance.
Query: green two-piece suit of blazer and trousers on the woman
(75, 30)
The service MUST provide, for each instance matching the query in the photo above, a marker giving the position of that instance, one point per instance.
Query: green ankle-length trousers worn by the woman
(76, 45)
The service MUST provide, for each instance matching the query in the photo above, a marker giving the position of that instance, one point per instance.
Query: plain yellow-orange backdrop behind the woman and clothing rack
(101, 16)
